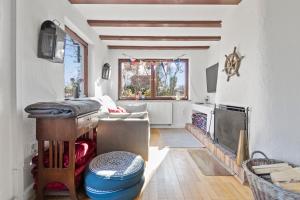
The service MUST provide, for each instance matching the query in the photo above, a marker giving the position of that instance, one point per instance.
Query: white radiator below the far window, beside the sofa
(160, 113)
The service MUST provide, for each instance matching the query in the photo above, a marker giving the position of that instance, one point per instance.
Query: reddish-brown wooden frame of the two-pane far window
(153, 80)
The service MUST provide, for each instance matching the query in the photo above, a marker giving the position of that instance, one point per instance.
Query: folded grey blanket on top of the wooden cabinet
(64, 109)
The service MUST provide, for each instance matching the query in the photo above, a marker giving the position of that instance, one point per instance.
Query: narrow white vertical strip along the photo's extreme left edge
(7, 91)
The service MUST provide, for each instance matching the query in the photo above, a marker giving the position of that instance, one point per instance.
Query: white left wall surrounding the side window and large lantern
(41, 80)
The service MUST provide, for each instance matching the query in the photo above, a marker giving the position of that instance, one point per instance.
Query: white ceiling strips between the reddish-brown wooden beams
(155, 13)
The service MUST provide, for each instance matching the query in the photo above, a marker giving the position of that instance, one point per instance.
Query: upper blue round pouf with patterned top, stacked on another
(114, 171)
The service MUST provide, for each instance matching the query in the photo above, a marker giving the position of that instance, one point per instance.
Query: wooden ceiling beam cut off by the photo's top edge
(191, 2)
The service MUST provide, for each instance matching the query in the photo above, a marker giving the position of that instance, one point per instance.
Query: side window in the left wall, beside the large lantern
(75, 64)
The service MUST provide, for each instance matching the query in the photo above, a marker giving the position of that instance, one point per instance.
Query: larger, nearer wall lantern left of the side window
(51, 45)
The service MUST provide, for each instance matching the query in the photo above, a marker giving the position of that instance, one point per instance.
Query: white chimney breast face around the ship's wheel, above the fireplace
(241, 29)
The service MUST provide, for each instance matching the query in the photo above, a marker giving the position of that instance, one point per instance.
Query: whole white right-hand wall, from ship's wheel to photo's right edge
(265, 33)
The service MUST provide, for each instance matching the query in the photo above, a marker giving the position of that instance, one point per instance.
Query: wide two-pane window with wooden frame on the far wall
(153, 79)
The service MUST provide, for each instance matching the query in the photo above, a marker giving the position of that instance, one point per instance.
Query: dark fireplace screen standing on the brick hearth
(229, 121)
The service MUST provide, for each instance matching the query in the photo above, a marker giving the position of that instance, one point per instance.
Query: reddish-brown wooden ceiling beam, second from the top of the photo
(143, 23)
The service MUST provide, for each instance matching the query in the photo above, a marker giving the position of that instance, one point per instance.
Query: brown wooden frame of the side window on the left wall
(85, 45)
